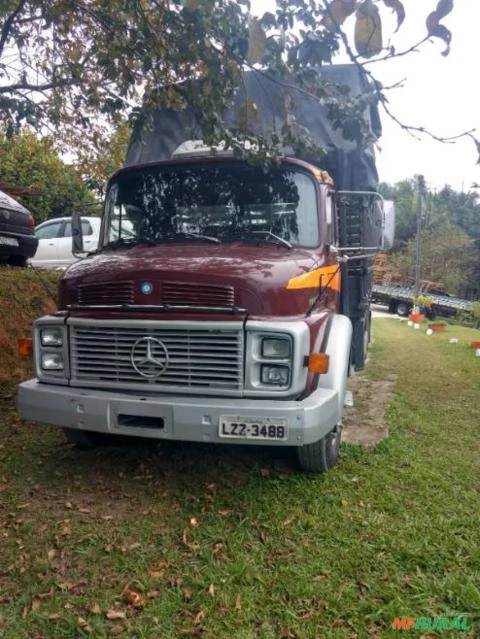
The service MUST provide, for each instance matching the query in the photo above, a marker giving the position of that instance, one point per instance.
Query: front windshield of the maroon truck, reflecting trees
(218, 202)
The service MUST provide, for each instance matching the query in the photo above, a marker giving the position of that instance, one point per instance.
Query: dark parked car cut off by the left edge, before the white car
(17, 234)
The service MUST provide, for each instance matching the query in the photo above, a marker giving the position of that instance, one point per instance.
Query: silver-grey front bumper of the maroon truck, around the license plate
(184, 418)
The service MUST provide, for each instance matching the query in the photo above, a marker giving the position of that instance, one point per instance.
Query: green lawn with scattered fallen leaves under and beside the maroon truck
(223, 542)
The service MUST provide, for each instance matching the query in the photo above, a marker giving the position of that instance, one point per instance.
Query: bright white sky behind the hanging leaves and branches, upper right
(439, 93)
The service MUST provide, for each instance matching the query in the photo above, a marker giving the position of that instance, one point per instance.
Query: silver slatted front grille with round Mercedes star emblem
(199, 358)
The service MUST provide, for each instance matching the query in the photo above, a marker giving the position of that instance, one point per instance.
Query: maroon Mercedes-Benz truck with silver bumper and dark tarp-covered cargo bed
(227, 301)
